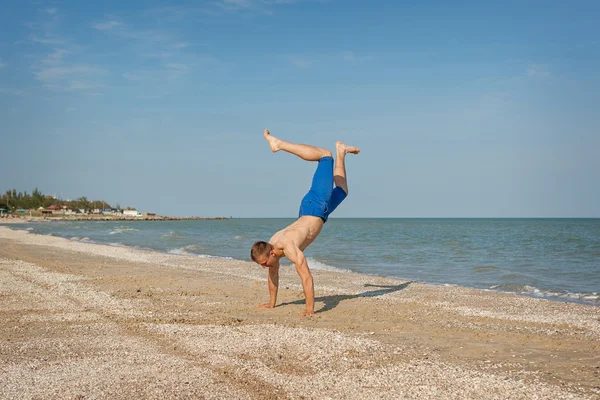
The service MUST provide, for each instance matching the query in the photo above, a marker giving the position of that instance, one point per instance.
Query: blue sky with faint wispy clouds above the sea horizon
(461, 109)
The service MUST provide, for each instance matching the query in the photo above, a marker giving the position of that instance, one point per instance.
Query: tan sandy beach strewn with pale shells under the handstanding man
(86, 321)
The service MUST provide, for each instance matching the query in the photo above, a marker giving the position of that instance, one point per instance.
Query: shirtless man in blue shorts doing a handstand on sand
(315, 208)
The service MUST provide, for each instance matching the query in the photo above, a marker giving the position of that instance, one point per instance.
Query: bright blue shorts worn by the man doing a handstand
(322, 198)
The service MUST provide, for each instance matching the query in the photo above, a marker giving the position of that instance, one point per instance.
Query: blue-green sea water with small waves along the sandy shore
(558, 259)
